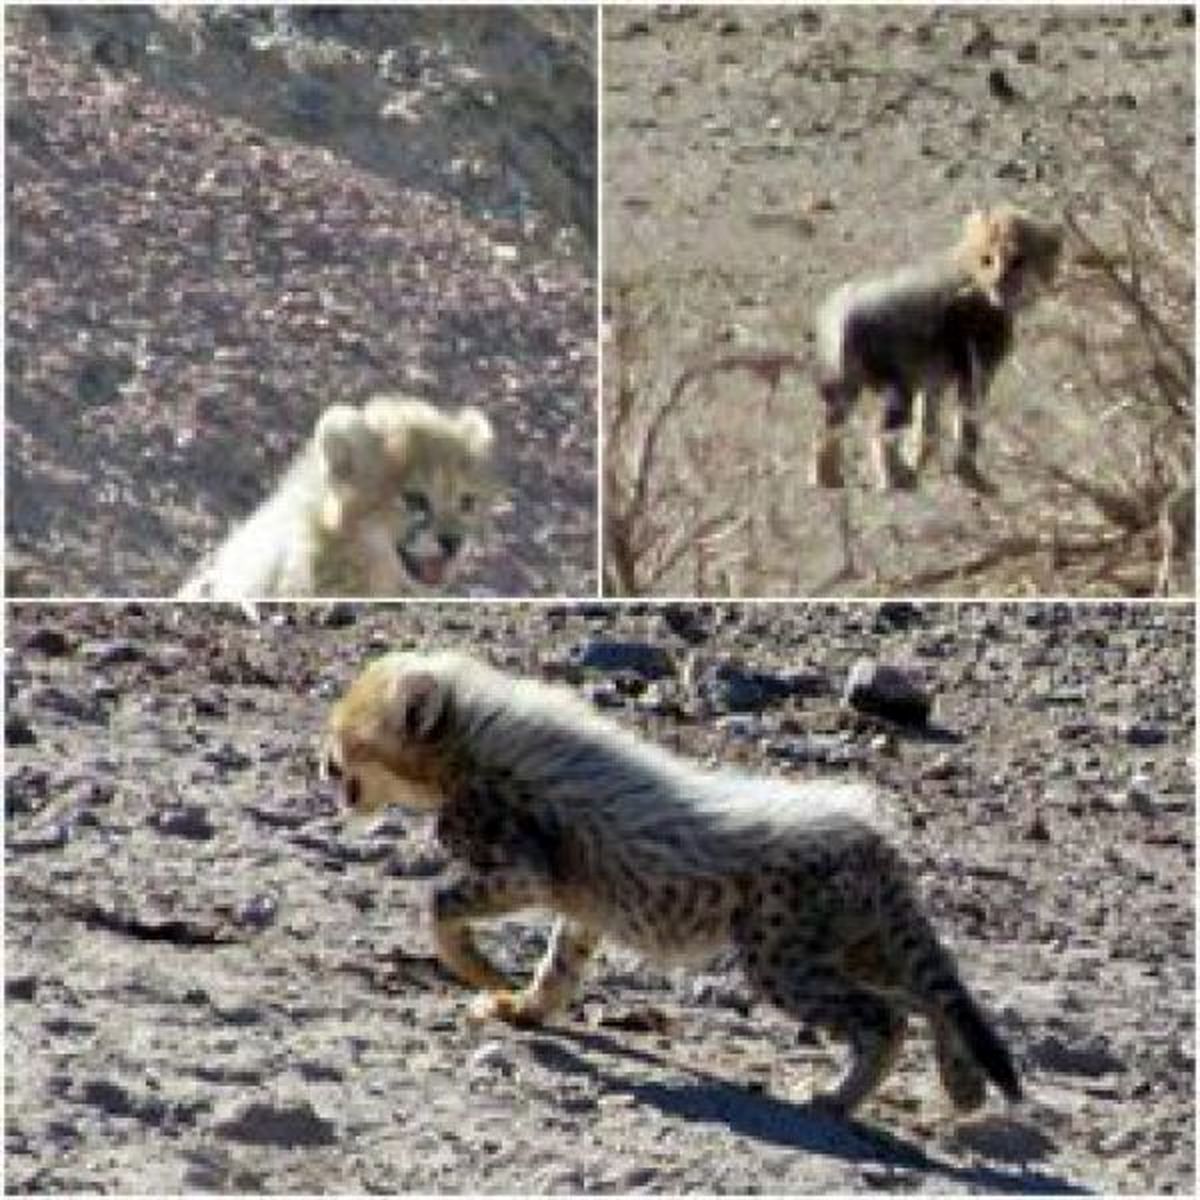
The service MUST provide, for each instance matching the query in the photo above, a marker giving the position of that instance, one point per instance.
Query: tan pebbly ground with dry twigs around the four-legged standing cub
(757, 158)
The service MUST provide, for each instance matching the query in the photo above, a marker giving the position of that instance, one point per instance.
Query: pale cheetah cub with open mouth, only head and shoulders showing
(379, 503)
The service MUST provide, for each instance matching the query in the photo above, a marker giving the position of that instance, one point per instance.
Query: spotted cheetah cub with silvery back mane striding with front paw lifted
(544, 805)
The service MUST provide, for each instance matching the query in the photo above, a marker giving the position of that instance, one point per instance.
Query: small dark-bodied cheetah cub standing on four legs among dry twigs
(908, 335)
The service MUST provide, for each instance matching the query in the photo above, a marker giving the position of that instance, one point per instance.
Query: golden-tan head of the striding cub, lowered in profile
(383, 747)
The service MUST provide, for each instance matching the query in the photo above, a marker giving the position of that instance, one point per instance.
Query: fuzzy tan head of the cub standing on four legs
(1010, 255)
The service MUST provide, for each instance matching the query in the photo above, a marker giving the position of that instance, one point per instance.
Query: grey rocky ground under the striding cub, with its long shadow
(213, 986)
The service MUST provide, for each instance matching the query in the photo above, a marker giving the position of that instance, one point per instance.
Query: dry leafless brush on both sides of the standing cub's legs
(1100, 469)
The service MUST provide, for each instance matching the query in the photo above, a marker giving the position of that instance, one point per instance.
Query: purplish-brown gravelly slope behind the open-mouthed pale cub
(219, 221)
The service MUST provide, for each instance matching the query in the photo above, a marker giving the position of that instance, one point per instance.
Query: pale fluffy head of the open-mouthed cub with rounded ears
(411, 482)
